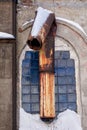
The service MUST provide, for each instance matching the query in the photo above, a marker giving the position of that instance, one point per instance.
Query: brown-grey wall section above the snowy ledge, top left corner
(6, 16)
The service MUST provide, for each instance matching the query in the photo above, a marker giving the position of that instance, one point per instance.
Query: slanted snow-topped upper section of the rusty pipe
(41, 27)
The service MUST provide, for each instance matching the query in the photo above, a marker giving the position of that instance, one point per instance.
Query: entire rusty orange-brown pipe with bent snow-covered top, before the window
(44, 42)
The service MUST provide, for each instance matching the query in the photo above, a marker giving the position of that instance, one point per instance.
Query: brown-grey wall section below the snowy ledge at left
(6, 84)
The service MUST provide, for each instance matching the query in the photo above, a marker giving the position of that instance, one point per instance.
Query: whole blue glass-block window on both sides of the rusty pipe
(65, 86)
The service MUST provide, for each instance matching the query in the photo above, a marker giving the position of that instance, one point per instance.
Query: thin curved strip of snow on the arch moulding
(72, 23)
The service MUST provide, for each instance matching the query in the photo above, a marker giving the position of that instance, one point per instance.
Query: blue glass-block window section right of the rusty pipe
(65, 85)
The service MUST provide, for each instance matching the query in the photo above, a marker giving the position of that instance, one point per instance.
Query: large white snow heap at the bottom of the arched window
(67, 120)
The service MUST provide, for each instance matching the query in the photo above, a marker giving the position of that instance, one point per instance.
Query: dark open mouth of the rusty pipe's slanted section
(34, 44)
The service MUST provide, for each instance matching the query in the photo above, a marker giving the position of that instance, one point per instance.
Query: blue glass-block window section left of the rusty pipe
(30, 82)
